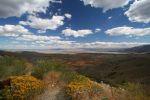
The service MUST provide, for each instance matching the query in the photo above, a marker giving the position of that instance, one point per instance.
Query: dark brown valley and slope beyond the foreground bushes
(124, 65)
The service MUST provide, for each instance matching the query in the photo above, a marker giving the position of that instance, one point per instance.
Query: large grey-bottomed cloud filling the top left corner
(9, 8)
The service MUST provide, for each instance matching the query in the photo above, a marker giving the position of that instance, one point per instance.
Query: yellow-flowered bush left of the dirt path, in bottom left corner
(22, 88)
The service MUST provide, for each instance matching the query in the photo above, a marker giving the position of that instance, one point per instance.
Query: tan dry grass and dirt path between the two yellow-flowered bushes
(53, 87)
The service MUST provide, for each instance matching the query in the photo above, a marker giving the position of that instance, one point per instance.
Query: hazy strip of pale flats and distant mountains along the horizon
(138, 49)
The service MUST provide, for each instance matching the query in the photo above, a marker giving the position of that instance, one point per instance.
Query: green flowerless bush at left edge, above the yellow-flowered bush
(11, 66)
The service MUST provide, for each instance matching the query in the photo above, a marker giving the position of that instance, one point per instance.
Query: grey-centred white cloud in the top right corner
(139, 11)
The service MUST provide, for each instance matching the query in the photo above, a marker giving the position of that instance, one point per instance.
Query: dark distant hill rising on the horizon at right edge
(138, 49)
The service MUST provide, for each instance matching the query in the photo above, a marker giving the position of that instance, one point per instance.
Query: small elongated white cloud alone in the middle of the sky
(77, 33)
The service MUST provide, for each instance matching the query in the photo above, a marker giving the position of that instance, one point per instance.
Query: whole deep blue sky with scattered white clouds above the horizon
(73, 24)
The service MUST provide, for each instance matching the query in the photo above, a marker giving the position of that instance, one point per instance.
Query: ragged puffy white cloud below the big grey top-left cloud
(44, 24)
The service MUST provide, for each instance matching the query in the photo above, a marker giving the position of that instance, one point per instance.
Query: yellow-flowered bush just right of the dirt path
(82, 88)
